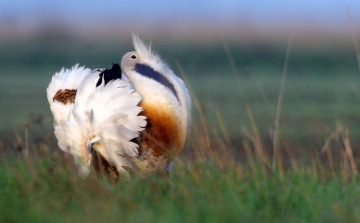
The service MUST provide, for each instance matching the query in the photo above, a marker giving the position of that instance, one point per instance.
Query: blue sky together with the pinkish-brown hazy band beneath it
(154, 15)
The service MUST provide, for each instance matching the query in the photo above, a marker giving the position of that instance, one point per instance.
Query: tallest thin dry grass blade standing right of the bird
(276, 156)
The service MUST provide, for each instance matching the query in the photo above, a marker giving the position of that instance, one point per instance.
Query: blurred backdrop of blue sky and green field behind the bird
(38, 38)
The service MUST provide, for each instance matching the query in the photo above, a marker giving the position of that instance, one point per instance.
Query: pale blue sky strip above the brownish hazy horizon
(320, 13)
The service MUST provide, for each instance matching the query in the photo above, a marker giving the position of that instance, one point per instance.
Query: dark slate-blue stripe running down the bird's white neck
(147, 71)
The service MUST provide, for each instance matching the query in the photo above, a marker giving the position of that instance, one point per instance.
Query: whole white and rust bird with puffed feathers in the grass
(132, 118)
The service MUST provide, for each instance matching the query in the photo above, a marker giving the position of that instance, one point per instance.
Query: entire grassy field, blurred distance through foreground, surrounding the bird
(222, 174)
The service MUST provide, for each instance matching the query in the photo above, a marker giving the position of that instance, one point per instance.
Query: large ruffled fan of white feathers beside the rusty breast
(104, 118)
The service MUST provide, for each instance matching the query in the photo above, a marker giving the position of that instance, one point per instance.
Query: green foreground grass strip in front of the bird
(199, 190)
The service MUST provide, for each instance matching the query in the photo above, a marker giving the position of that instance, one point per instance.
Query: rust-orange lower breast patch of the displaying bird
(163, 136)
